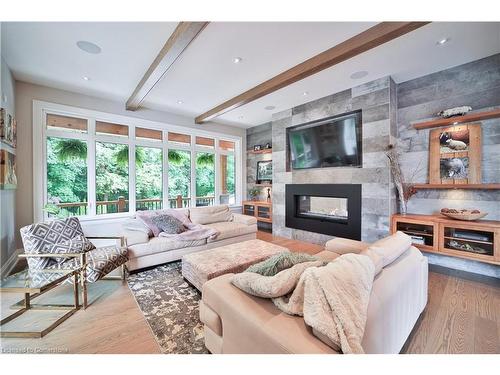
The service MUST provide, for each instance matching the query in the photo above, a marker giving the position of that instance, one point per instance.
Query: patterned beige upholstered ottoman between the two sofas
(199, 267)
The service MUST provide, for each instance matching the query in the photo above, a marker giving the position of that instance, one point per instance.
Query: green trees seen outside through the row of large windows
(67, 174)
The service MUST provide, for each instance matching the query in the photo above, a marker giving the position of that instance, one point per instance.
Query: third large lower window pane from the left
(148, 178)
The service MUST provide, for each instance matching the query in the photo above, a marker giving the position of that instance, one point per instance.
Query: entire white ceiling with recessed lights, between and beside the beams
(205, 76)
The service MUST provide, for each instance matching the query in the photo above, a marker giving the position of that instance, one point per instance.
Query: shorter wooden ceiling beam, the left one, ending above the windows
(180, 39)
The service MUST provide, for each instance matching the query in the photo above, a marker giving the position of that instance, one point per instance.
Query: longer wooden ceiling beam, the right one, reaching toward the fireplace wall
(368, 39)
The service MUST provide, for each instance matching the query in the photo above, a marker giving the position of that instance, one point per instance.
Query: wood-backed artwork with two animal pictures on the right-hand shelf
(455, 155)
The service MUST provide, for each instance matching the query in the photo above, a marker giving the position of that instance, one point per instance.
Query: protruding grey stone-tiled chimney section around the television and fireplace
(378, 107)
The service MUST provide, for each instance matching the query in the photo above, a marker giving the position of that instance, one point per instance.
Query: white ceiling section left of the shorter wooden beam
(45, 53)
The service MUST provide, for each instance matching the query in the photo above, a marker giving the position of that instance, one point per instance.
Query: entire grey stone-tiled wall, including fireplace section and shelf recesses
(389, 110)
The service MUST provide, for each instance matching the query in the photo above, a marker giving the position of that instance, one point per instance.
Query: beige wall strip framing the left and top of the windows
(26, 93)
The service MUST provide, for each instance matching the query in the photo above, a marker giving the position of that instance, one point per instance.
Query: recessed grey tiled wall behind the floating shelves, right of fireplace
(476, 84)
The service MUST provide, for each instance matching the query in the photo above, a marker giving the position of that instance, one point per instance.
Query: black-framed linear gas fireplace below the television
(332, 209)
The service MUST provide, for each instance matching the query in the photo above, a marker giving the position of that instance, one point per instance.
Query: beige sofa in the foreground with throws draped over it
(236, 322)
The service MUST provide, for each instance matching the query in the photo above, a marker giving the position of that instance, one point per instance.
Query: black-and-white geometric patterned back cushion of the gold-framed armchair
(36, 237)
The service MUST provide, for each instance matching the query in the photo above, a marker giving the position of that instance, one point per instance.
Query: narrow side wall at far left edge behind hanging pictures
(7, 197)
